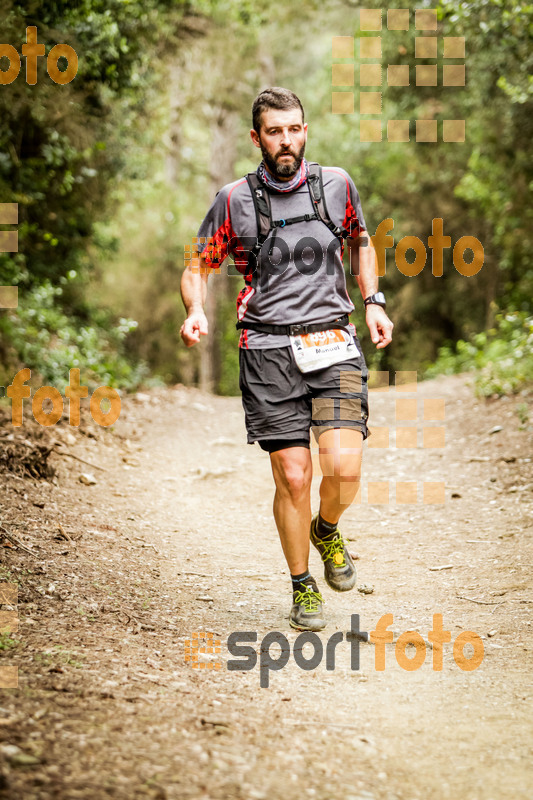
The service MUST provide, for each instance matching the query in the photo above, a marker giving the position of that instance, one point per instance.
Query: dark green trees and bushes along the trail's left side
(61, 148)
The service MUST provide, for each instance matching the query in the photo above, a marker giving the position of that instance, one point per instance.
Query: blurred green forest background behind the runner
(114, 171)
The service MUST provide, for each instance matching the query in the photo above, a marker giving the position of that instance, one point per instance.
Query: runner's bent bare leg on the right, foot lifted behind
(340, 455)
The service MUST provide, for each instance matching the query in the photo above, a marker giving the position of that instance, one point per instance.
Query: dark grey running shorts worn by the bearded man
(280, 402)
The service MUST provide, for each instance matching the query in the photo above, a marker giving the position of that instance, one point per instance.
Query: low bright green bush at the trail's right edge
(501, 357)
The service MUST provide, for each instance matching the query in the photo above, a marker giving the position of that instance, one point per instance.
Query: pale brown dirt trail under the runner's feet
(177, 537)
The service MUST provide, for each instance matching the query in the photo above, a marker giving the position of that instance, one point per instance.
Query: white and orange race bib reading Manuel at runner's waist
(318, 350)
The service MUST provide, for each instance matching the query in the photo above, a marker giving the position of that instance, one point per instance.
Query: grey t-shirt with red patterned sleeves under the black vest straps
(300, 277)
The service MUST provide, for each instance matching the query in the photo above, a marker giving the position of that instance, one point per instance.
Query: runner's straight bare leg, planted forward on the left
(292, 470)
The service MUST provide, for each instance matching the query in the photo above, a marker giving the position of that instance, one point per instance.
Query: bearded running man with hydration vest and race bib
(301, 364)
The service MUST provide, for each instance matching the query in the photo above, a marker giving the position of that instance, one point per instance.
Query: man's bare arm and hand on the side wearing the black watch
(363, 264)
